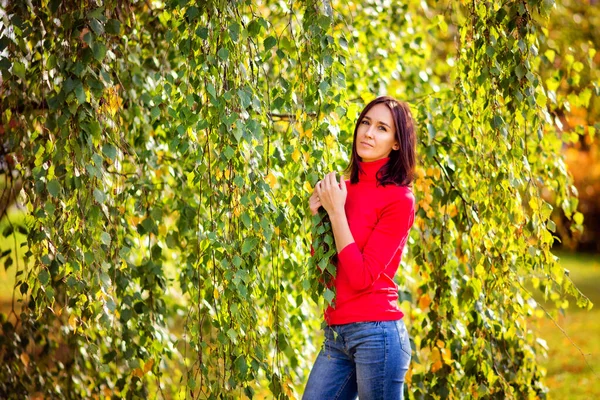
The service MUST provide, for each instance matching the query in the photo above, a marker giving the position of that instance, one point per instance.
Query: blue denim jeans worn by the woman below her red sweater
(365, 358)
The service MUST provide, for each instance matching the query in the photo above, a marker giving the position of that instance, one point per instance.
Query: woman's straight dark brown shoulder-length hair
(400, 169)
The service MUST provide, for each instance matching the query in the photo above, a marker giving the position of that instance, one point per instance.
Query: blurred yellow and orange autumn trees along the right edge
(569, 52)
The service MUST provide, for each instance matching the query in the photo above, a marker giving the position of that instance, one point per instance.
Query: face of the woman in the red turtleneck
(376, 134)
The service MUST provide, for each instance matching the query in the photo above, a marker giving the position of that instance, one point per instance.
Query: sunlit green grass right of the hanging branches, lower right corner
(568, 374)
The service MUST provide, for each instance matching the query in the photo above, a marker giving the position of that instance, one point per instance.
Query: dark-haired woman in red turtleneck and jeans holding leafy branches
(367, 348)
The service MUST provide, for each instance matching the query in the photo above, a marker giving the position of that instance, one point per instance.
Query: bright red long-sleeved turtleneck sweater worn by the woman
(380, 218)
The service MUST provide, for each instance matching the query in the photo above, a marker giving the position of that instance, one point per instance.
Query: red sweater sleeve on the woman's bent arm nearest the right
(361, 270)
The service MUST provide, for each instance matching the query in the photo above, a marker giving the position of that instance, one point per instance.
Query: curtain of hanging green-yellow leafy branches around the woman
(167, 151)
